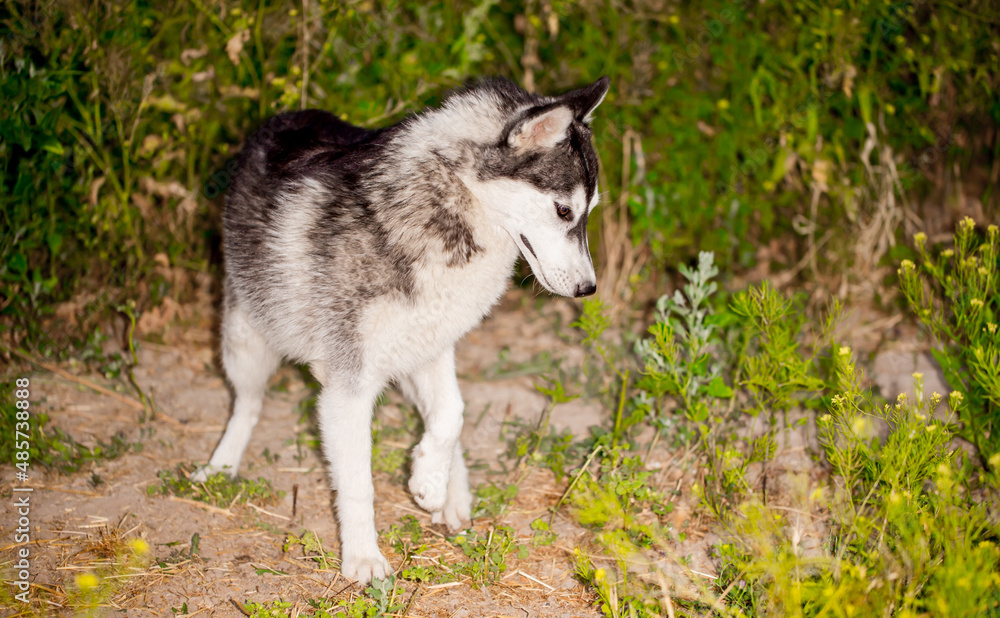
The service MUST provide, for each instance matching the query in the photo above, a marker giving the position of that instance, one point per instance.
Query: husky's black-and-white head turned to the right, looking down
(539, 180)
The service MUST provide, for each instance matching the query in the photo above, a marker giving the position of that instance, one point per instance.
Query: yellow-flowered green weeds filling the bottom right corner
(912, 526)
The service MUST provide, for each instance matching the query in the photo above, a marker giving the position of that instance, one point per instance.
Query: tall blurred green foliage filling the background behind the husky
(119, 118)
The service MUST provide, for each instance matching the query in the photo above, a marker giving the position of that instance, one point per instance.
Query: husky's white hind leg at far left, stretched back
(249, 363)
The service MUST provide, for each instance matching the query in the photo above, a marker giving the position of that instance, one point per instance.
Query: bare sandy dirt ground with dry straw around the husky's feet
(241, 553)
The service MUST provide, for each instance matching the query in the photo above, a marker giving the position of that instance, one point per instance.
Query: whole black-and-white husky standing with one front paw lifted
(368, 253)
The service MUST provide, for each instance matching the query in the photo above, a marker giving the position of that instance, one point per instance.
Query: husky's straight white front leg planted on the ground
(345, 421)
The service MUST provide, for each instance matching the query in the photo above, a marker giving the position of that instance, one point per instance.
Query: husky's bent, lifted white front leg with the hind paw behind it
(440, 481)
